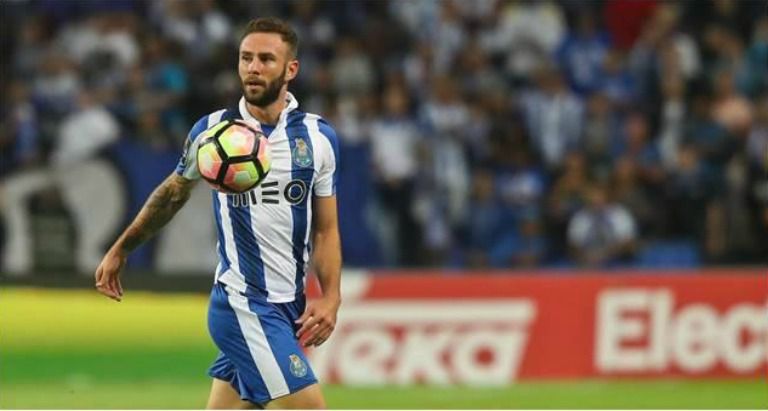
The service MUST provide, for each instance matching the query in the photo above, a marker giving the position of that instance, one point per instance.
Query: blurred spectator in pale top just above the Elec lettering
(603, 233)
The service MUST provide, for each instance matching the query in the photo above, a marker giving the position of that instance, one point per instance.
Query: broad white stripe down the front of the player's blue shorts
(259, 347)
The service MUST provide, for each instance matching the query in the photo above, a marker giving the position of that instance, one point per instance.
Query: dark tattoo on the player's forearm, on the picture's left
(161, 206)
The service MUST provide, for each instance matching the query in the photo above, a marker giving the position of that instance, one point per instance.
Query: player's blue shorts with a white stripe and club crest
(259, 354)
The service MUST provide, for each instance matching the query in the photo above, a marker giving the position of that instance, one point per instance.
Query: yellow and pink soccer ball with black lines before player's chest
(233, 156)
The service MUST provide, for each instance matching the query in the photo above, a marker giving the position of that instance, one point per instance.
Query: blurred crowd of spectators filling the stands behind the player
(498, 133)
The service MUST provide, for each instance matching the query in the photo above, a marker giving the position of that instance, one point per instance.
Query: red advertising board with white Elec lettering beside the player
(490, 329)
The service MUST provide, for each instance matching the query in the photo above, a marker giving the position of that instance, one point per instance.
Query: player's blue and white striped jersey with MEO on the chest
(263, 235)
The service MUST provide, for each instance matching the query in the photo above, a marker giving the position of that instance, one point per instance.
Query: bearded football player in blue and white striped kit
(258, 316)
